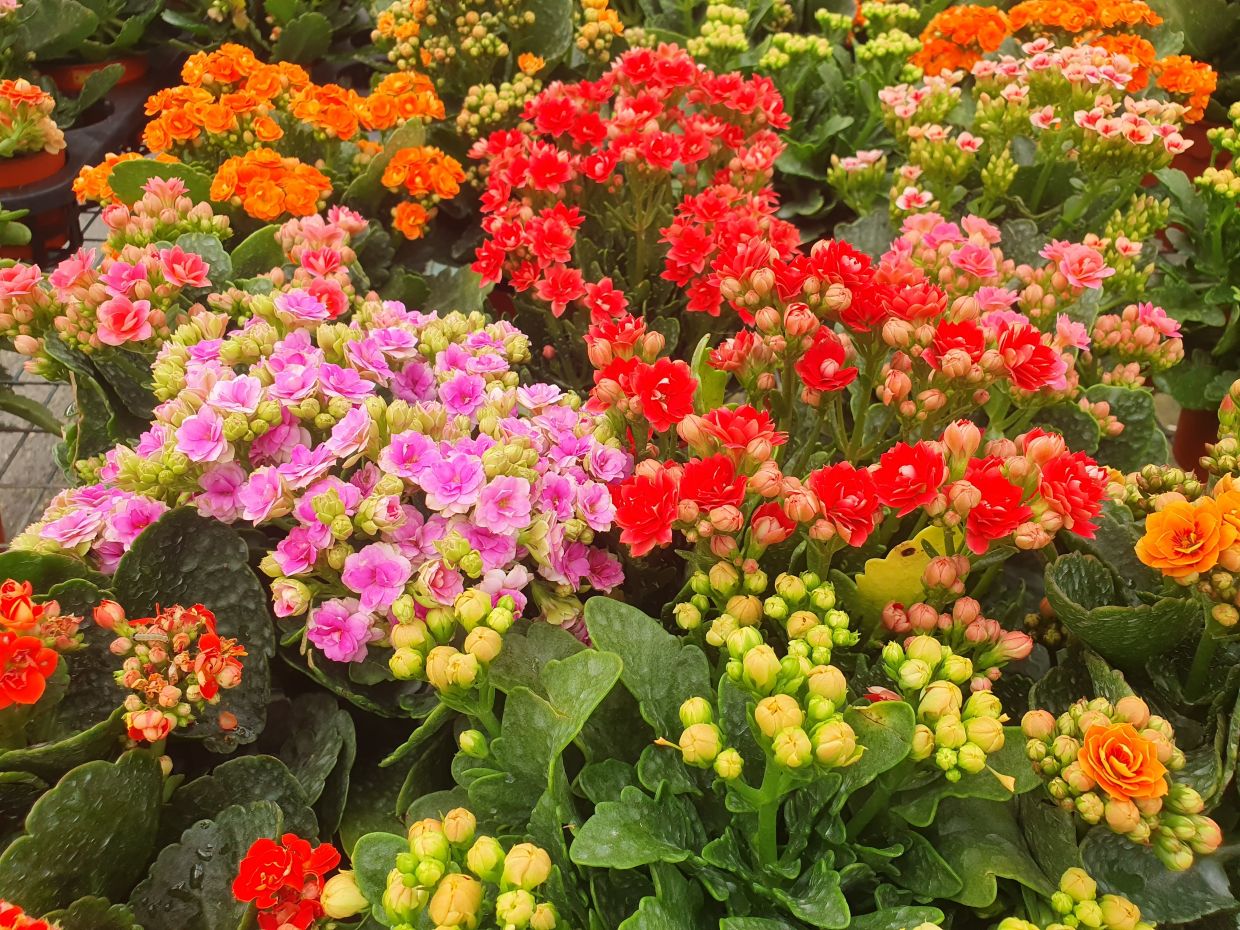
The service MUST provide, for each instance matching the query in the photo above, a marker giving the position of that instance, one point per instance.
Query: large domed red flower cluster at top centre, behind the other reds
(628, 144)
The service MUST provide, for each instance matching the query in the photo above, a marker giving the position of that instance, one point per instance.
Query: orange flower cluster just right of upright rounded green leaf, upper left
(267, 185)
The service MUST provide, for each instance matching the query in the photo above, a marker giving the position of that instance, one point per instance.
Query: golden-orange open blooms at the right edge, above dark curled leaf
(1187, 539)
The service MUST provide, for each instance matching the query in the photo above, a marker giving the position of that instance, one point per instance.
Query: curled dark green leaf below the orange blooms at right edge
(1082, 592)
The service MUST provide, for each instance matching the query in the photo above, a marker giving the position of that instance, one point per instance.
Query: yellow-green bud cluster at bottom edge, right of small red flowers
(457, 880)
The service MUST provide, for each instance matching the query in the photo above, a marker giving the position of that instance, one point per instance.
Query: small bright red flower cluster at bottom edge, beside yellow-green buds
(285, 881)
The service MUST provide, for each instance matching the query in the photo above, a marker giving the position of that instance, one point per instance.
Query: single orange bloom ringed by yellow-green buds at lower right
(1115, 764)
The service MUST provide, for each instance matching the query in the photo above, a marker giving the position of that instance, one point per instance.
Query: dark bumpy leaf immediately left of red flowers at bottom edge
(190, 885)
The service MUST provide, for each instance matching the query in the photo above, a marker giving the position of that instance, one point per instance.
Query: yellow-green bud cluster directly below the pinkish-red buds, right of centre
(954, 735)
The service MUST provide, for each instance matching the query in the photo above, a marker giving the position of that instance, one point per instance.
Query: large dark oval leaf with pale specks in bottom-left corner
(91, 835)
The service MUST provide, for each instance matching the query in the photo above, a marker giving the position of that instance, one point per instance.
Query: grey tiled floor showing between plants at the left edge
(29, 477)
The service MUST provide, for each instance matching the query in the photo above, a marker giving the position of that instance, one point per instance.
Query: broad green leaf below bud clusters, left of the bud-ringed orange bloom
(981, 843)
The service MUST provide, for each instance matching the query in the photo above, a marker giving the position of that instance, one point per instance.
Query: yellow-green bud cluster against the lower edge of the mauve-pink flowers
(453, 647)
